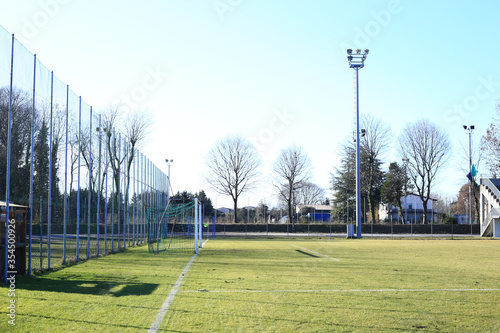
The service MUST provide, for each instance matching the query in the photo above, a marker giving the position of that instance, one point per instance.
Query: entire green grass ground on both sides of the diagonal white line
(314, 285)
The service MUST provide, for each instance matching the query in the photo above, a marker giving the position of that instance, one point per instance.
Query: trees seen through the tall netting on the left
(38, 141)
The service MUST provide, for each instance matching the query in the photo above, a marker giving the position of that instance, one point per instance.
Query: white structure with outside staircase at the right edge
(490, 207)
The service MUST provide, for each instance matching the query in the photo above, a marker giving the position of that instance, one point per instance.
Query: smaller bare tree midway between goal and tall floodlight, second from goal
(292, 168)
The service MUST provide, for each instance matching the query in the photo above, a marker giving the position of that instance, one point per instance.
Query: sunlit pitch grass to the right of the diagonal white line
(377, 285)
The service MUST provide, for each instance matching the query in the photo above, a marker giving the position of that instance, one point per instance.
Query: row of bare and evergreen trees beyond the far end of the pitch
(423, 149)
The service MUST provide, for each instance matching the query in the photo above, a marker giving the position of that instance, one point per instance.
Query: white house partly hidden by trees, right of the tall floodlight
(413, 209)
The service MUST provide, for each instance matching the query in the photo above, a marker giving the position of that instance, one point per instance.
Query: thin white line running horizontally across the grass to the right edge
(338, 290)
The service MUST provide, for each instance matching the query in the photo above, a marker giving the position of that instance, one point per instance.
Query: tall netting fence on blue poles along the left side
(86, 187)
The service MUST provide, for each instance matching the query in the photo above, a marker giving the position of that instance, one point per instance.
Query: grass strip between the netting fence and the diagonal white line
(117, 293)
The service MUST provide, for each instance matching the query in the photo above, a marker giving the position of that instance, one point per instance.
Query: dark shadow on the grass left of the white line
(114, 288)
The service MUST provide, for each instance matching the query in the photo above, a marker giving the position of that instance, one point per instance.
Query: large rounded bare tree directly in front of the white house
(426, 149)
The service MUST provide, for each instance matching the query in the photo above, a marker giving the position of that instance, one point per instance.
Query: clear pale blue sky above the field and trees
(274, 71)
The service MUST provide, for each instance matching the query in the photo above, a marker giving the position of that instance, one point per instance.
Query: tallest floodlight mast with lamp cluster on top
(356, 60)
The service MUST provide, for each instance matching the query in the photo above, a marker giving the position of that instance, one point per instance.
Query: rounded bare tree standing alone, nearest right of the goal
(233, 167)
